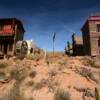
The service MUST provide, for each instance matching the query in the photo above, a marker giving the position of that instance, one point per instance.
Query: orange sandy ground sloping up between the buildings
(59, 72)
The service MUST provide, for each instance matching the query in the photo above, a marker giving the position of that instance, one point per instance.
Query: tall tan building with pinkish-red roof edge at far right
(91, 36)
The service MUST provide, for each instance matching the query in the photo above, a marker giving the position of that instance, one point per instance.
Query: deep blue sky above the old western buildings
(43, 17)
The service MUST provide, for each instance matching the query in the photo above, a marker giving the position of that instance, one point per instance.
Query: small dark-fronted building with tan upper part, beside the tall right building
(77, 45)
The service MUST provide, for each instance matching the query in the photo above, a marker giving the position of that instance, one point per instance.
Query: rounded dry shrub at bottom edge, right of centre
(61, 94)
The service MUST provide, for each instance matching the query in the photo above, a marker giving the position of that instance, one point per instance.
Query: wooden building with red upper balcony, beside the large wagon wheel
(11, 31)
